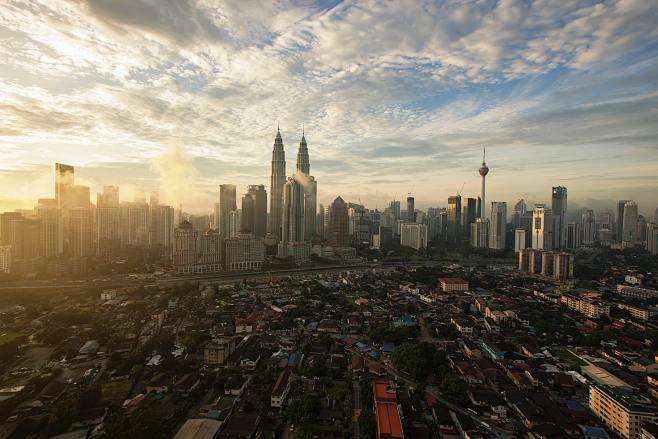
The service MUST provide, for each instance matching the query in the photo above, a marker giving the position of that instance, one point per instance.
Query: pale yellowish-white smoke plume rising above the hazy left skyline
(177, 172)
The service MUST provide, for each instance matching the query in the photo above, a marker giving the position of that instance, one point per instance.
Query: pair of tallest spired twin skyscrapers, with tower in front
(293, 200)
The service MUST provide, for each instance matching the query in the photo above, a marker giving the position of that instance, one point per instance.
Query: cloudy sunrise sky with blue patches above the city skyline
(395, 97)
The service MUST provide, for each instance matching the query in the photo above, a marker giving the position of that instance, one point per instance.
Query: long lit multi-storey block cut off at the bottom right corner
(621, 411)
